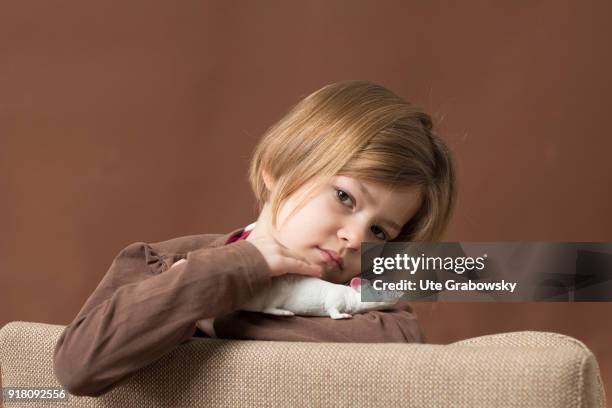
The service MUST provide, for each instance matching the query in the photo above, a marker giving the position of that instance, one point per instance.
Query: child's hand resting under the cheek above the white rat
(283, 260)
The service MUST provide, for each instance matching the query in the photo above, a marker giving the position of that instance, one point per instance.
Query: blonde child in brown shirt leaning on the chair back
(351, 162)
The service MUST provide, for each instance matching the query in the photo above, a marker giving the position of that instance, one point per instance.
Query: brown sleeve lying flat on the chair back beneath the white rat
(398, 324)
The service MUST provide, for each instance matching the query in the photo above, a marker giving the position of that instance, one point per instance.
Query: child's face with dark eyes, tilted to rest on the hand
(338, 217)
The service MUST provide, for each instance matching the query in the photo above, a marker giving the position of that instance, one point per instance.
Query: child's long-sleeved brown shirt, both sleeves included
(143, 308)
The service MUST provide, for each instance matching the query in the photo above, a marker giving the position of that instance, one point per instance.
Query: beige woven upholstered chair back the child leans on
(518, 369)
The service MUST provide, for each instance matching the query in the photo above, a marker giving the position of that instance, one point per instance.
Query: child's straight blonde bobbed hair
(362, 130)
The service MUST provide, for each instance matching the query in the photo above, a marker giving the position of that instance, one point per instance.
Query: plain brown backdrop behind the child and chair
(124, 121)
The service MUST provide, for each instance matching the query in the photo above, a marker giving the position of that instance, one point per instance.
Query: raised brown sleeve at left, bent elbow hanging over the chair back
(141, 310)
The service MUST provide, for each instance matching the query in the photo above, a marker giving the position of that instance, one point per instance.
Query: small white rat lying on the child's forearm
(309, 296)
